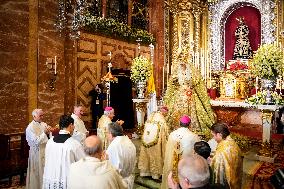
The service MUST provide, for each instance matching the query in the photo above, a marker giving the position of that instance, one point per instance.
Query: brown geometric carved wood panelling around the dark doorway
(93, 58)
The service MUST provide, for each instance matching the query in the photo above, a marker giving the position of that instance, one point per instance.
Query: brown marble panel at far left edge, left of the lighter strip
(14, 36)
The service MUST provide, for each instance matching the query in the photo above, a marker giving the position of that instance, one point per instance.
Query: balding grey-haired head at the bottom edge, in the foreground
(195, 168)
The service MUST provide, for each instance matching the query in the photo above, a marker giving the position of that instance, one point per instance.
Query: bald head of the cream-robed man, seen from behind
(93, 145)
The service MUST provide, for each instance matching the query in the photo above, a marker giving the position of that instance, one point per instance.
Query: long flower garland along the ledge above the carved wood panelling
(111, 28)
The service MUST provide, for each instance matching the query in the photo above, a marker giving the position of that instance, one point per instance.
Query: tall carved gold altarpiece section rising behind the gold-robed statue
(186, 24)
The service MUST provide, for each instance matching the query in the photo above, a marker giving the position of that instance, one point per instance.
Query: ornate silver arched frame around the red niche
(217, 17)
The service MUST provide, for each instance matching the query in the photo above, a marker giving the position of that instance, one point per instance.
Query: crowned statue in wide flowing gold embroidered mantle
(187, 94)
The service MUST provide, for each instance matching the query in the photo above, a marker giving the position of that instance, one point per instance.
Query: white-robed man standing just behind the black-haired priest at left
(80, 131)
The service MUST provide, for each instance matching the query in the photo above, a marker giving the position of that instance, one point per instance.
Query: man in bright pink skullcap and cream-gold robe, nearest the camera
(180, 143)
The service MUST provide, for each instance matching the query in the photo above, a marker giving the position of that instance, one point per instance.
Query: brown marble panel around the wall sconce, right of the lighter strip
(50, 44)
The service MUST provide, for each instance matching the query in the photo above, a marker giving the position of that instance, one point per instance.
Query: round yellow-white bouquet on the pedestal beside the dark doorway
(140, 69)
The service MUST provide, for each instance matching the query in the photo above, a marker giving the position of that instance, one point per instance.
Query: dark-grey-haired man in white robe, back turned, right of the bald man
(121, 152)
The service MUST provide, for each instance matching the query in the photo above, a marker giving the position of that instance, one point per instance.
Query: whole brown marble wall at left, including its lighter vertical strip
(27, 39)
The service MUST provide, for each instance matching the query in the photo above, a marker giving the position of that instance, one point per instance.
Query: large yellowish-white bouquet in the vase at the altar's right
(267, 62)
